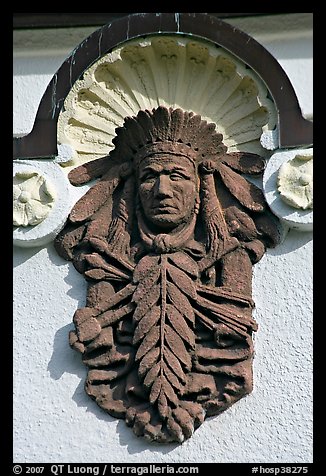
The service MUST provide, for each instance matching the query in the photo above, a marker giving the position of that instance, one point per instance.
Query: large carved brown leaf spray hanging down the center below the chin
(164, 335)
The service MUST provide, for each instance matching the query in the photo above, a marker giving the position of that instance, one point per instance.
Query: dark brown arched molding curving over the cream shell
(294, 129)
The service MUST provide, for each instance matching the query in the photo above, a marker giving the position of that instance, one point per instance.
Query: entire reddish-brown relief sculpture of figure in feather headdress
(166, 239)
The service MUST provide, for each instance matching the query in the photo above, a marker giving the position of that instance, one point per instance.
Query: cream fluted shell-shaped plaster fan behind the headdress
(170, 71)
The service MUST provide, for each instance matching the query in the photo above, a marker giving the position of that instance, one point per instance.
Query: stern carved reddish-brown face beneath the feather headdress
(167, 189)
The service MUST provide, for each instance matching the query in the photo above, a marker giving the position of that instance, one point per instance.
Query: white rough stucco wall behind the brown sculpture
(54, 419)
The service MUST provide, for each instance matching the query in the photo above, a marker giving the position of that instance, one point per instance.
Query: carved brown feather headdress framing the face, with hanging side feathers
(108, 209)
